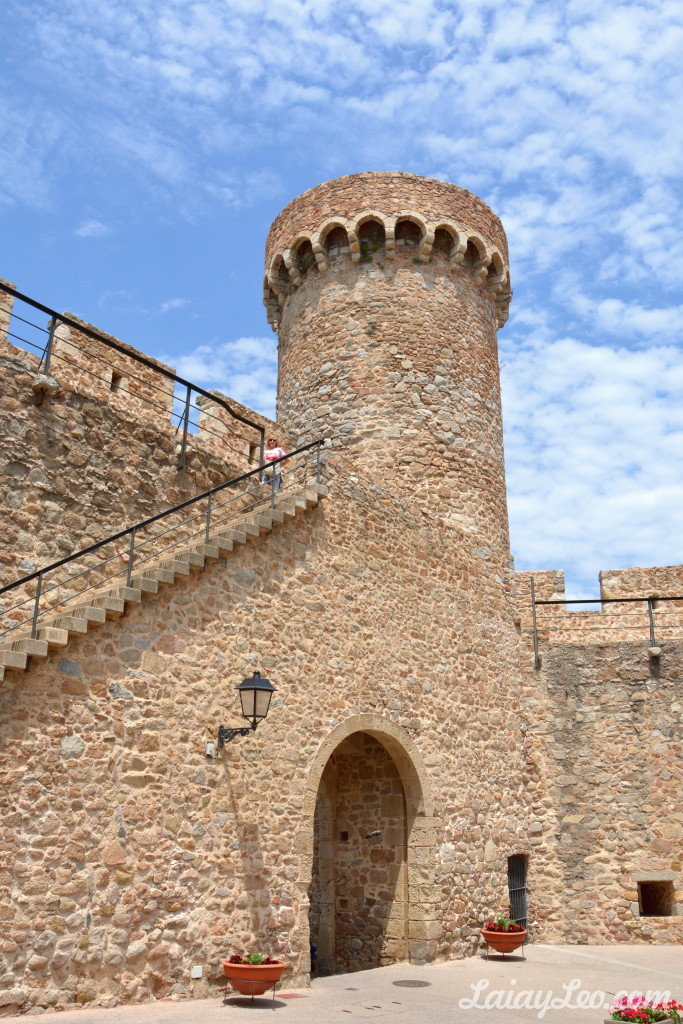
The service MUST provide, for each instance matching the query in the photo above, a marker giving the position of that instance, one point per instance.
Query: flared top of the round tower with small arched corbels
(386, 216)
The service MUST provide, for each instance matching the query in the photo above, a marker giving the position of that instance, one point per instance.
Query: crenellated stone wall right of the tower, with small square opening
(608, 712)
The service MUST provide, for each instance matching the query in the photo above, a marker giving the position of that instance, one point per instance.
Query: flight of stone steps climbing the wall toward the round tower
(110, 603)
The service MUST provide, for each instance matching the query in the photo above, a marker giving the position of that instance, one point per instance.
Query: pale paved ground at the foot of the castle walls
(566, 974)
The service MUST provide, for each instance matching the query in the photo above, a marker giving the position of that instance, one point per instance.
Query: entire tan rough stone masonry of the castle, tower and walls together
(413, 746)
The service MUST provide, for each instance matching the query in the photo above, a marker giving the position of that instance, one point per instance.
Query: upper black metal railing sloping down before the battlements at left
(49, 355)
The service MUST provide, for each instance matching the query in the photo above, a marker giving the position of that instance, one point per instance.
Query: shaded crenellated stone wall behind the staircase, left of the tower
(89, 461)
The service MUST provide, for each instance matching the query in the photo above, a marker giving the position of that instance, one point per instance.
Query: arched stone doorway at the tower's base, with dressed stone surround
(372, 891)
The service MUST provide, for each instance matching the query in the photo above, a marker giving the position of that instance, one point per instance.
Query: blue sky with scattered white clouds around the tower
(147, 148)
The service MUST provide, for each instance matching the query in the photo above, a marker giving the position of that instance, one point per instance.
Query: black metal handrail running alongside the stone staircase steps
(132, 533)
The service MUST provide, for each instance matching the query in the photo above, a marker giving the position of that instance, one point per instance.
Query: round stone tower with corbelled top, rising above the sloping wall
(388, 290)
